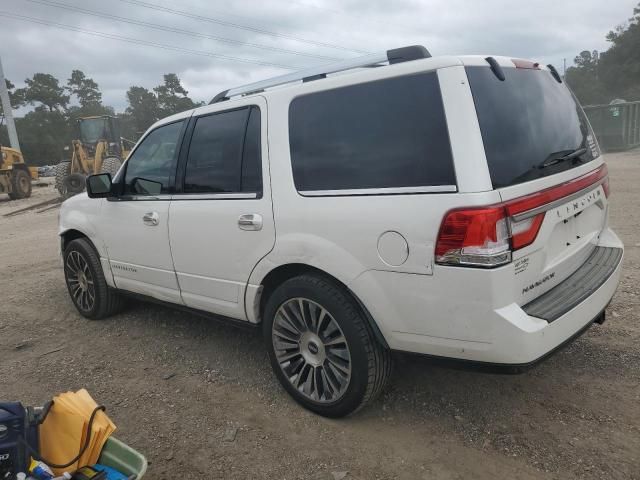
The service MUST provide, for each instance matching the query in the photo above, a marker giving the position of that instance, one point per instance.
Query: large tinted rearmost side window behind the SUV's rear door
(386, 134)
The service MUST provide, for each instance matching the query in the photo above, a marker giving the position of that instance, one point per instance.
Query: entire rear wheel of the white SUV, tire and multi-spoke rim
(322, 348)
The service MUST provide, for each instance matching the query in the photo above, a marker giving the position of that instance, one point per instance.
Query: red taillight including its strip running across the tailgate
(486, 236)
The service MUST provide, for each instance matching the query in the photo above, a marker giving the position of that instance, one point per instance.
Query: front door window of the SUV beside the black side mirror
(154, 160)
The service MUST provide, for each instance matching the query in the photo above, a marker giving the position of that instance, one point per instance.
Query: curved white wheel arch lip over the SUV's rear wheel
(282, 273)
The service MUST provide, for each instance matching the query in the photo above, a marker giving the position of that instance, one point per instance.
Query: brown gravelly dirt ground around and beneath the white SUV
(199, 399)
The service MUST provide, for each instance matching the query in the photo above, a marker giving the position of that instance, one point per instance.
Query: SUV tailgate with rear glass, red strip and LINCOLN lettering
(543, 156)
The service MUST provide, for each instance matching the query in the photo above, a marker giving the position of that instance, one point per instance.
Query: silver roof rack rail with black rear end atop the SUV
(396, 55)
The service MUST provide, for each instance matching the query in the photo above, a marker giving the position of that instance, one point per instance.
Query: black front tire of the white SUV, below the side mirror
(106, 300)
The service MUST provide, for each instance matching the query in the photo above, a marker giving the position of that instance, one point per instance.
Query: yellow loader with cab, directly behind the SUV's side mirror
(98, 149)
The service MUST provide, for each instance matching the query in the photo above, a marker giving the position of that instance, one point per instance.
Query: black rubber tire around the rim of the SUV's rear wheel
(370, 362)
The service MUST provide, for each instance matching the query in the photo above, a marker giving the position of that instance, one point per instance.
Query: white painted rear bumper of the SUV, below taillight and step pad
(469, 329)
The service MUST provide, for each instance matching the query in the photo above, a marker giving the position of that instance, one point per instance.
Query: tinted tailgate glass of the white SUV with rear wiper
(527, 120)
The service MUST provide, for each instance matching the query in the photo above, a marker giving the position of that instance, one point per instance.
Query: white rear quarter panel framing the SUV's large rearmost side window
(340, 234)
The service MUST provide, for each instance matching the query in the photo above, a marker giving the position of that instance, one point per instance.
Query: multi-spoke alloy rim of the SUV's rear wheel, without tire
(311, 350)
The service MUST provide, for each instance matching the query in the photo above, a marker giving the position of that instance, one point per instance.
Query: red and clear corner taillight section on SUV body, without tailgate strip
(474, 237)
